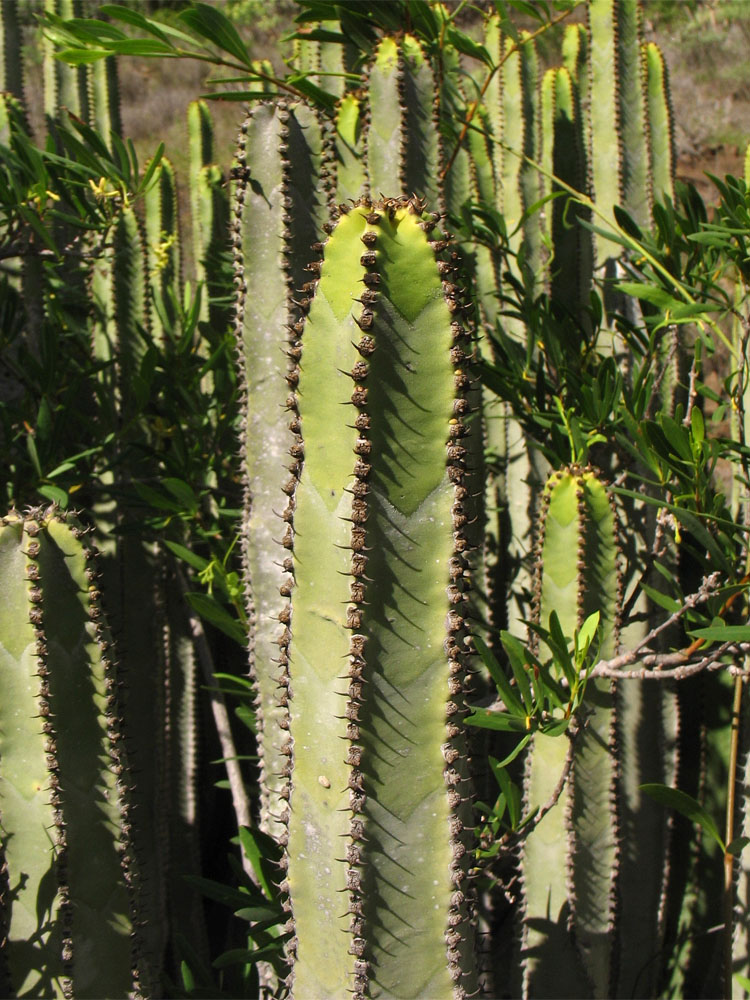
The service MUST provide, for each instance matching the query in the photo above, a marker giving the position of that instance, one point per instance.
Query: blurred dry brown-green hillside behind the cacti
(705, 43)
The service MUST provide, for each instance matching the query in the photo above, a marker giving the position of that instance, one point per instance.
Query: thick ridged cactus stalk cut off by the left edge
(68, 882)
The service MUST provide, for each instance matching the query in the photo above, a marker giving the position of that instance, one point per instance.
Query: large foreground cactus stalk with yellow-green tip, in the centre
(377, 627)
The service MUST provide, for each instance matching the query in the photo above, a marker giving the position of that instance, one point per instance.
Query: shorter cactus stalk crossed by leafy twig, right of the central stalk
(569, 861)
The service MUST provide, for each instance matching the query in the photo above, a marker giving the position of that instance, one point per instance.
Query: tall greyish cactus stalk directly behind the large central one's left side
(278, 173)
